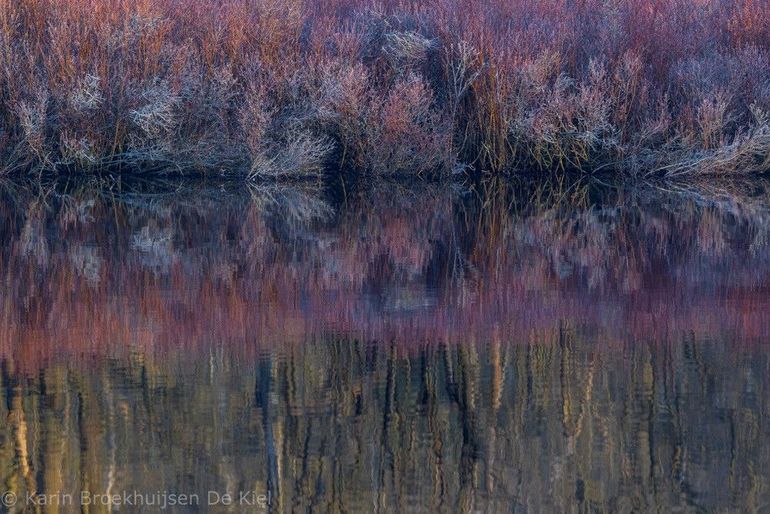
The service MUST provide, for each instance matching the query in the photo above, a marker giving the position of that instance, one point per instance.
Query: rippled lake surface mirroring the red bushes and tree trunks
(493, 347)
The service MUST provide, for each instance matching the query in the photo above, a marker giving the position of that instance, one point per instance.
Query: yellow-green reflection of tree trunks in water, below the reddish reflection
(558, 424)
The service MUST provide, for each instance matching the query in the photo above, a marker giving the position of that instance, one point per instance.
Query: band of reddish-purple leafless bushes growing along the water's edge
(290, 88)
